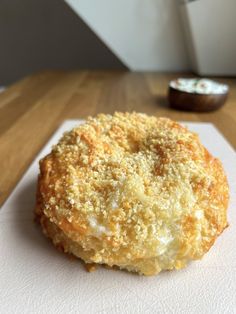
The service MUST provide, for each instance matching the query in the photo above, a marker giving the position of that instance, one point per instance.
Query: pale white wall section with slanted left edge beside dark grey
(144, 34)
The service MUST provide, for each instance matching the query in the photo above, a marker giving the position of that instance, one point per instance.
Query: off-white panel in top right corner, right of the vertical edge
(211, 36)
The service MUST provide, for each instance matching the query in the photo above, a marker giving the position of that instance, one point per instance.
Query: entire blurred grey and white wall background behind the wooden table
(151, 35)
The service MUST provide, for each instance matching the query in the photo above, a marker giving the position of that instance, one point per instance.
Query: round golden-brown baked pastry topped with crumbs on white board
(134, 191)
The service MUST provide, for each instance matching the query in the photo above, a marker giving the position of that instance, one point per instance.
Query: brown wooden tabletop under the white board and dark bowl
(32, 109)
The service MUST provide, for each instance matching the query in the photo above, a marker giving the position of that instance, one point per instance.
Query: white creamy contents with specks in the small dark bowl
(199, 86)
